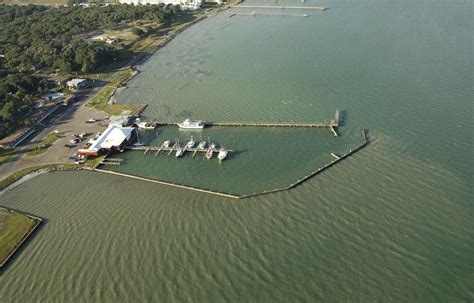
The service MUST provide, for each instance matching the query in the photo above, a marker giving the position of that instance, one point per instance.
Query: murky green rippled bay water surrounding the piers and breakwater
(392, 223)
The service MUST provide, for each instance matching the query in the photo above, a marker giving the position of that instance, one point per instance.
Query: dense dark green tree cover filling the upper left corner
(36, 37)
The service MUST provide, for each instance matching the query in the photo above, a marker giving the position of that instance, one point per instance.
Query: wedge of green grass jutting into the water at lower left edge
(13, 229)
